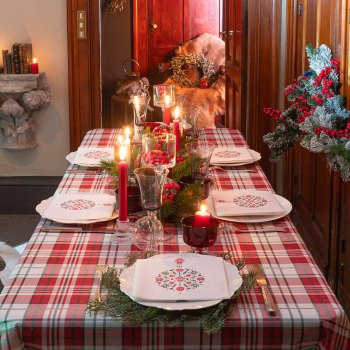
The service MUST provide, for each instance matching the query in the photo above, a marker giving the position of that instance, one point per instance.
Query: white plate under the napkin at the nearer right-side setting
(285, 204)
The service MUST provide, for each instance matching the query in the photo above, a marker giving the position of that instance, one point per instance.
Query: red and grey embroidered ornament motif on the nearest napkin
(180, 279)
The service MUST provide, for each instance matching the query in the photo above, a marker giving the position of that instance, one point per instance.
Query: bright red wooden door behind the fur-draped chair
(159, 26)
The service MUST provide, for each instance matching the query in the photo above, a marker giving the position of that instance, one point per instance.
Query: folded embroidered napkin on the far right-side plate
(231, 155)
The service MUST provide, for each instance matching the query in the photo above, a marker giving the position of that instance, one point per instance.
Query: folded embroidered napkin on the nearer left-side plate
(79, 206)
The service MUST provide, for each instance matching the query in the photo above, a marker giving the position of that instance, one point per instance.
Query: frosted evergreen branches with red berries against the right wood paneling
(317, 116)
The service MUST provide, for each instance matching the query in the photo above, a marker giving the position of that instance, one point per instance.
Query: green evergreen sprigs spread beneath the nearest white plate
(117, 304)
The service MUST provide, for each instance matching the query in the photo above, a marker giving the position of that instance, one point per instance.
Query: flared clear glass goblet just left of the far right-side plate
(200, 155)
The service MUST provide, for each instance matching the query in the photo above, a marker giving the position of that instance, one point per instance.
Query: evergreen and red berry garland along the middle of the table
(177, 203)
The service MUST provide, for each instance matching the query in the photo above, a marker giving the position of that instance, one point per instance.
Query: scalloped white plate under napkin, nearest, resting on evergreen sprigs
(234, 280)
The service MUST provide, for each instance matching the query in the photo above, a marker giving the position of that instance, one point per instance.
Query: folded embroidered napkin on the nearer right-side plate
(245, 202)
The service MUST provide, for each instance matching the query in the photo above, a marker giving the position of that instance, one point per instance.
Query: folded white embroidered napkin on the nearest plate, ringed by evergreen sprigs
(178, 278)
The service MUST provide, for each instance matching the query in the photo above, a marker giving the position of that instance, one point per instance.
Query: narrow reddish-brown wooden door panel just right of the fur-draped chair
(233, 62)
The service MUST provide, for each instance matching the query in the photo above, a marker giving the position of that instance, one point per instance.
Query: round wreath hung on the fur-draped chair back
(197, 60)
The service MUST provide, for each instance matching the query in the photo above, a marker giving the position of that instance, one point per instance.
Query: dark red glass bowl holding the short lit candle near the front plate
(199, 238)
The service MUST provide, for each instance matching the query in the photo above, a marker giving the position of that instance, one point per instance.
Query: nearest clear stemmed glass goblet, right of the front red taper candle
(148, 231)
